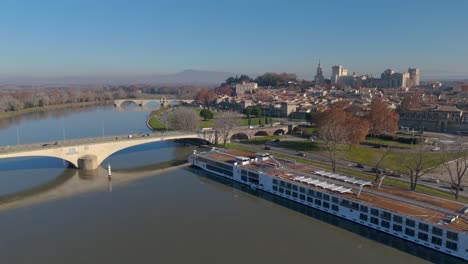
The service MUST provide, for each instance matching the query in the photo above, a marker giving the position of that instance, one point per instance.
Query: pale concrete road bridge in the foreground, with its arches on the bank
(89, 153)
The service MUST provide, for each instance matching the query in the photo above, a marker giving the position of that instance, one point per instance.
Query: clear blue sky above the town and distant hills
(81, 37)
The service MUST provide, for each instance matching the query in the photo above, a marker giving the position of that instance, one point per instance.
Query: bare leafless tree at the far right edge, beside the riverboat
(456, 168)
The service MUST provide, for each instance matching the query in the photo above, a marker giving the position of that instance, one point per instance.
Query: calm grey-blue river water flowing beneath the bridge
(145, 215)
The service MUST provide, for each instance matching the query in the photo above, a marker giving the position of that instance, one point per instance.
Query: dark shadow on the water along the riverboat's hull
(383, 238)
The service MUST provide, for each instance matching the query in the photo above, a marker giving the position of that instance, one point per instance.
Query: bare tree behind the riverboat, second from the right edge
(417, 164)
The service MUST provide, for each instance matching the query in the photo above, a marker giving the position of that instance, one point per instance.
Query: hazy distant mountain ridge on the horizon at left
(187, 77)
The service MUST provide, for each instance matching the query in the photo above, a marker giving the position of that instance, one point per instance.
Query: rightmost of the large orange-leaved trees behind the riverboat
(381, 118)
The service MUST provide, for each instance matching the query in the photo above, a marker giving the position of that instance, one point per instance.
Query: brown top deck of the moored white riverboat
(404, 202)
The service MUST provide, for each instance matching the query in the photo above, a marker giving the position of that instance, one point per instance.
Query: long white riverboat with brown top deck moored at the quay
(429, 221)
